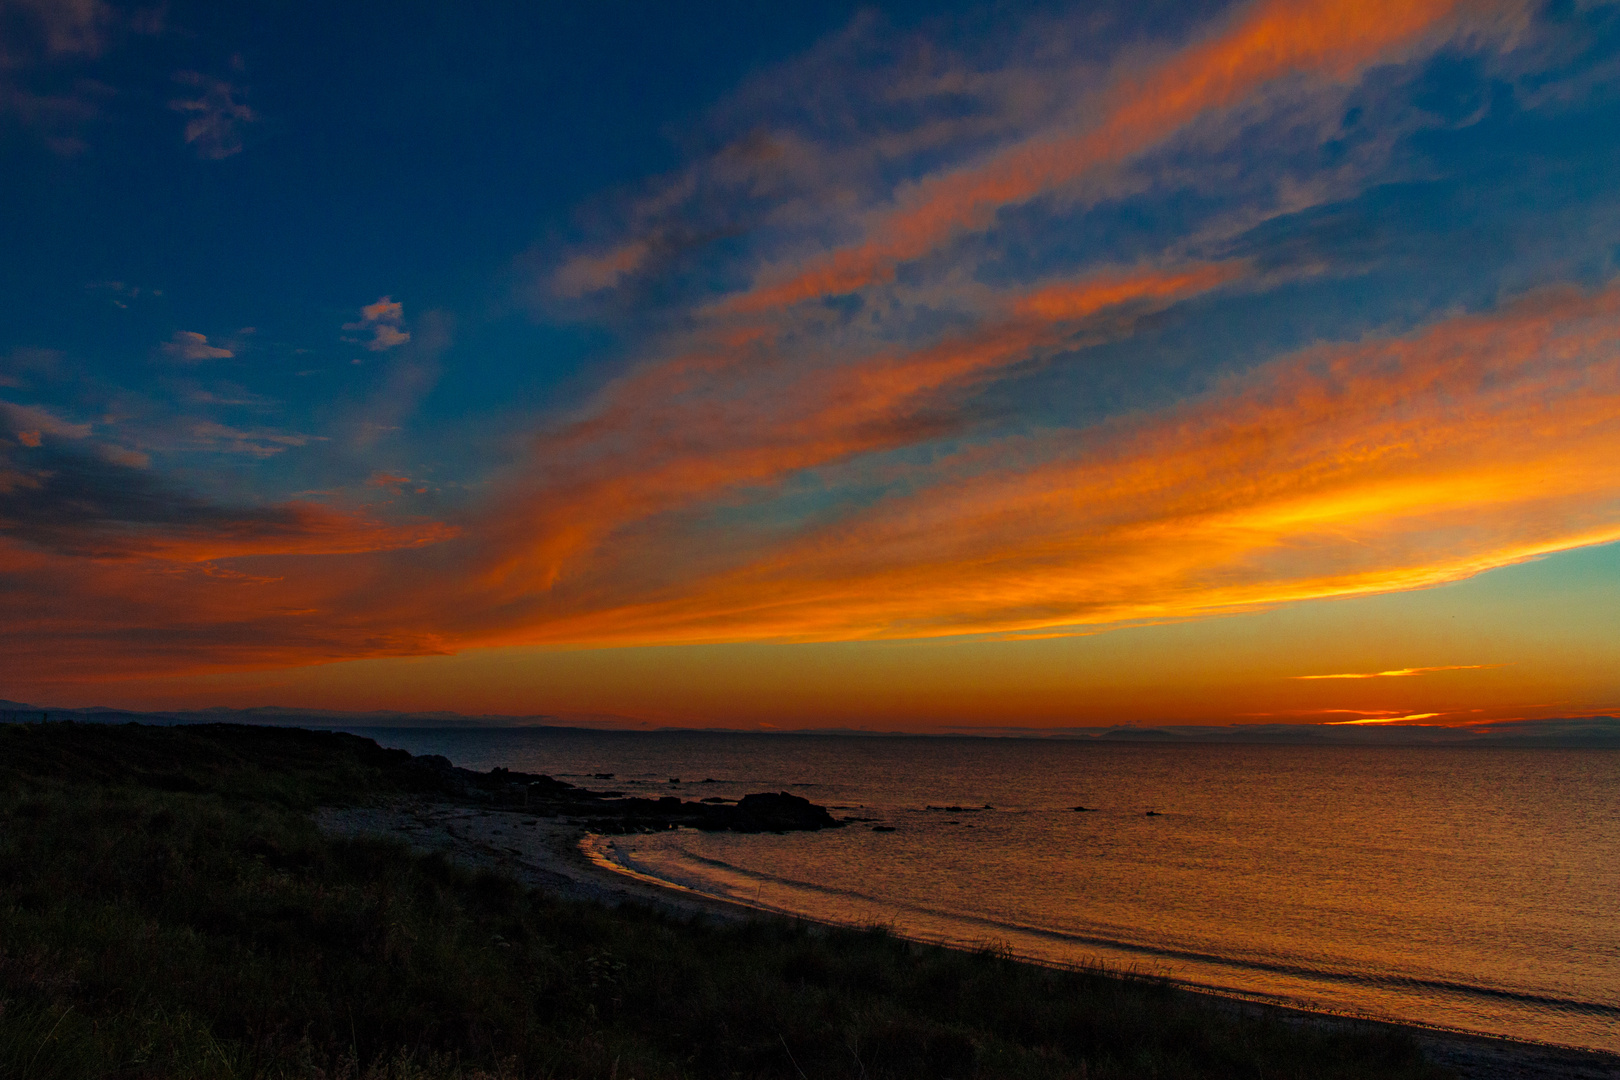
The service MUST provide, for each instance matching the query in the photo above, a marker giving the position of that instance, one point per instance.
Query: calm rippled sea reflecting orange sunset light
(1465, 888)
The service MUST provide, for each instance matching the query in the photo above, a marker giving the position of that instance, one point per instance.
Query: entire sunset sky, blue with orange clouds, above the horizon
(902, 367)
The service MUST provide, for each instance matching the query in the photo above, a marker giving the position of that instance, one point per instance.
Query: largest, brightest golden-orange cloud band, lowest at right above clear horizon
(1342, 470)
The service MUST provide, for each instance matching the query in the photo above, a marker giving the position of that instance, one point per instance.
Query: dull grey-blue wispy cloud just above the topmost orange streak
(803, 147)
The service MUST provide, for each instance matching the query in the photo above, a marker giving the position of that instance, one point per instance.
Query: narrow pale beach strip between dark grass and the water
(548, 854)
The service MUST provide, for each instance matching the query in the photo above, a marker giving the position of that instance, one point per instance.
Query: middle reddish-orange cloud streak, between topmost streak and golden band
(741, 417)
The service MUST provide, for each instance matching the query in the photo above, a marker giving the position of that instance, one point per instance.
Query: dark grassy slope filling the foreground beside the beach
(168, 909)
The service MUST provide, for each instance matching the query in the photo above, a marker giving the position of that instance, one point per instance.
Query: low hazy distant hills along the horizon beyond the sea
(1593, 731)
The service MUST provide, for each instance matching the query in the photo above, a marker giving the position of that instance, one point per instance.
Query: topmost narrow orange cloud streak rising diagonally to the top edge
(1266, 43)
